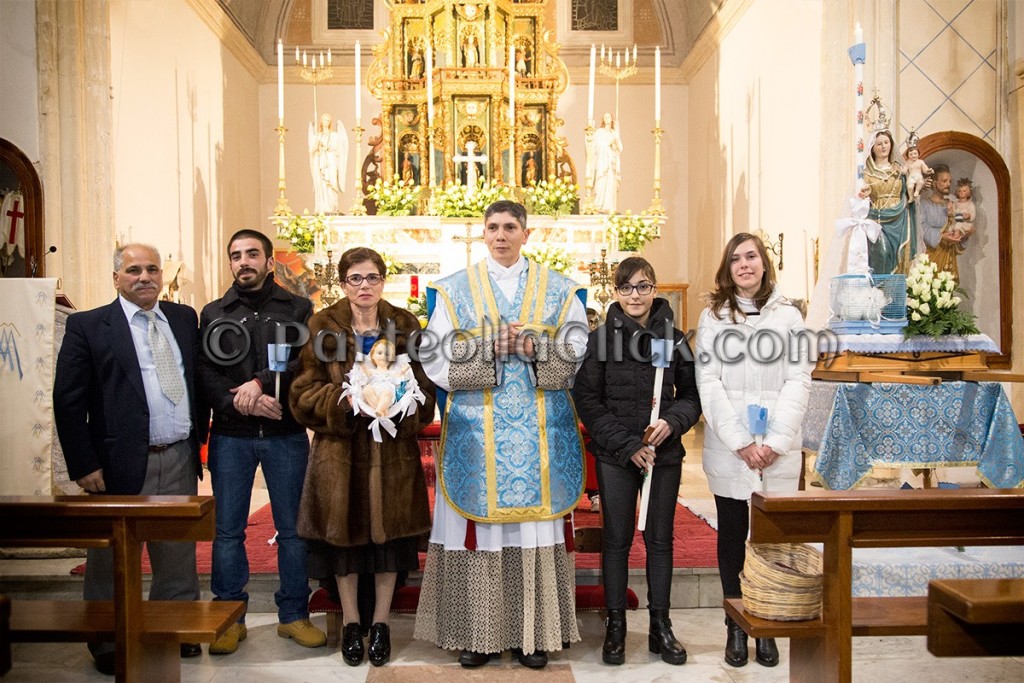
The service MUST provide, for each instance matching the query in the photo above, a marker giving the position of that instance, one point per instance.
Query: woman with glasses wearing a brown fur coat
(365, 503)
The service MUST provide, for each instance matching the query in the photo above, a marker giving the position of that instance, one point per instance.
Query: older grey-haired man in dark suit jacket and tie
(129, 420)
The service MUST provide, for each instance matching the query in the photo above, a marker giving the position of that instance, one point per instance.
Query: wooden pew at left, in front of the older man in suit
(147, 634)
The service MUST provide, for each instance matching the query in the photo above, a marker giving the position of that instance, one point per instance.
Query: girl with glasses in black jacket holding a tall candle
(613, 395)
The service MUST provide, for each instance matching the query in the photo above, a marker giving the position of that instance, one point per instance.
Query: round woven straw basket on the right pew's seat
(782, 582)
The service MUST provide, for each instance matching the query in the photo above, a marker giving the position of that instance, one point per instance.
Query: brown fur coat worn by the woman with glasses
(358, 491)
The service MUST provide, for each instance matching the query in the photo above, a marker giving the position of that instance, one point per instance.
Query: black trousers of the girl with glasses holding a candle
(619, 488)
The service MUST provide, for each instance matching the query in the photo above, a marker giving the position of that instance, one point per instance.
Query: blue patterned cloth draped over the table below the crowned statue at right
(857, 426)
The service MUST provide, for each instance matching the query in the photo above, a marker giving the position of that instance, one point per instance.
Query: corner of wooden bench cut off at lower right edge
(976, 618)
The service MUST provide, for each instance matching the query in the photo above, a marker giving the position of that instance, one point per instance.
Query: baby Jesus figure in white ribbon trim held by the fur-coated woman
(383, 388)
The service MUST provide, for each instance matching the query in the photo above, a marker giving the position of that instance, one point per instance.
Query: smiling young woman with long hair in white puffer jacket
(751, 351)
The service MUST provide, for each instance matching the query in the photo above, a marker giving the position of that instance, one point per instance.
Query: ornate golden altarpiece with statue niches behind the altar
(475, 48)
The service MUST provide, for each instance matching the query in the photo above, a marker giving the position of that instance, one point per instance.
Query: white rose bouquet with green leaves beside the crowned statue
(932, 303)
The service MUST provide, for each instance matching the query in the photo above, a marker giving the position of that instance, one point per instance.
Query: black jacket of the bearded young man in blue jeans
(217, 380)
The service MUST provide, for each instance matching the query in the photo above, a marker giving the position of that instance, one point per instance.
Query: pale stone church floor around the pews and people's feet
(265, 657)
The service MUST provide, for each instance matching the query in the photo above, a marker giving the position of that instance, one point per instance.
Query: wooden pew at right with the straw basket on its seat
(821, 651)
